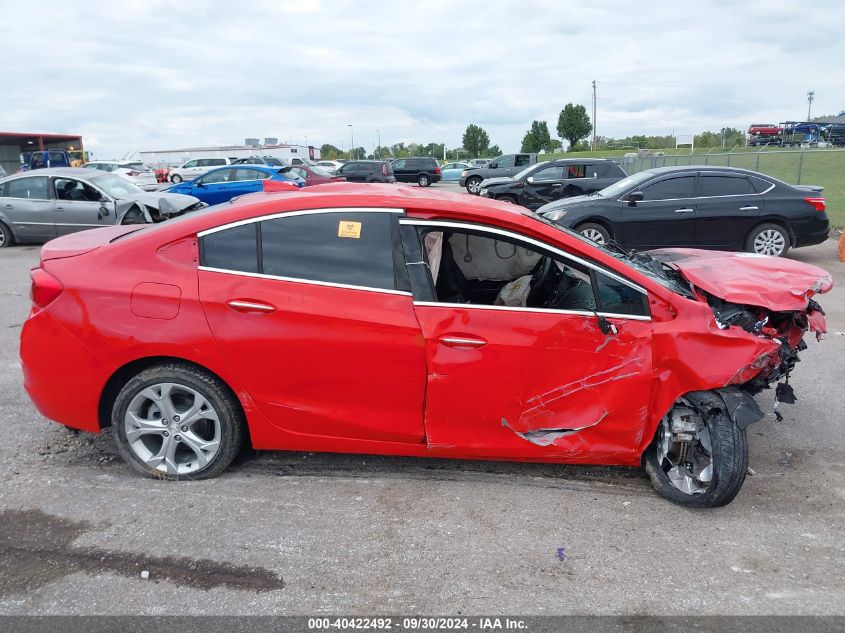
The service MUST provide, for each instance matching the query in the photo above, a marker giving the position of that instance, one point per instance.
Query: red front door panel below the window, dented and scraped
(518, 382)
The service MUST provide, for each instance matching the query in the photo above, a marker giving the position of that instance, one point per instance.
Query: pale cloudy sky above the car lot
(148, 75)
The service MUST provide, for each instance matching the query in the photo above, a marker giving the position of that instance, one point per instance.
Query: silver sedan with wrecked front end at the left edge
(36, 206)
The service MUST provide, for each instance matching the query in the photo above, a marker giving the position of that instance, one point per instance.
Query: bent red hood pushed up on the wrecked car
(775, 283)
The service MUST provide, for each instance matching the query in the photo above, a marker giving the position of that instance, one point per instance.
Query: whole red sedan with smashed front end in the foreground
(377, 319)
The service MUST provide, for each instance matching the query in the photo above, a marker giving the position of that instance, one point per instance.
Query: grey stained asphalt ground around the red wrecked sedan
(295, 533)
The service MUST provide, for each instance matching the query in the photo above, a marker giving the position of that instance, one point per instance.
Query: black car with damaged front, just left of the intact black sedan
(552, 180)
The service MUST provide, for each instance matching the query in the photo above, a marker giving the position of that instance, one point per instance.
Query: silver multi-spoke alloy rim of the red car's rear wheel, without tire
(172, 428)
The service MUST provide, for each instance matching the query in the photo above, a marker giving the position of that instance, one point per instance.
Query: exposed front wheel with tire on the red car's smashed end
(706, 471)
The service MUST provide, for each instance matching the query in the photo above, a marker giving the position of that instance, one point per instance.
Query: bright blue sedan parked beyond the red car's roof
(223, 184)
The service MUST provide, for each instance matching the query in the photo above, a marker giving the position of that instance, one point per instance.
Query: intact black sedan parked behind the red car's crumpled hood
(707, 207)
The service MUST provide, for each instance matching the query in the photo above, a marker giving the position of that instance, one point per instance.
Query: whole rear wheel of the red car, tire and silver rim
(176, 421)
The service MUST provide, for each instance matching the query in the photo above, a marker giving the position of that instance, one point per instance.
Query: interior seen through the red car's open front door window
(472, 268)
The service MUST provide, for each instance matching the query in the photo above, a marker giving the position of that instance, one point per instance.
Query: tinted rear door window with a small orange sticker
(343, 248)
